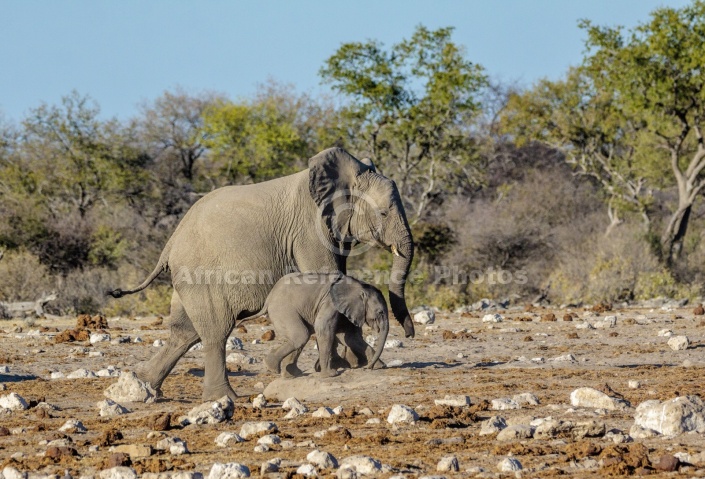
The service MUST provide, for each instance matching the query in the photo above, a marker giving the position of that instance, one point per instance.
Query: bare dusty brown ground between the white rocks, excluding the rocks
(443, 359)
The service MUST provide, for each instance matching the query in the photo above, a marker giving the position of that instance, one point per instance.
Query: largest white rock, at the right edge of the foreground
(675, 416)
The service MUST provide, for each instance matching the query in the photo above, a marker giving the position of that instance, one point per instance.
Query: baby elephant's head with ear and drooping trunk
(362, 304)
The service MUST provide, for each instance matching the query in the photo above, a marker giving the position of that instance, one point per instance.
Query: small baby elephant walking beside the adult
(304, 303)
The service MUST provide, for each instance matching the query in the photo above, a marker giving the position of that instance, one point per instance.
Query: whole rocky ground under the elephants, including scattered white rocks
(551, 393)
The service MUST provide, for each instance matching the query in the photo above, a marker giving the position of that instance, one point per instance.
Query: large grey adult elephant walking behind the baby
(237, 241)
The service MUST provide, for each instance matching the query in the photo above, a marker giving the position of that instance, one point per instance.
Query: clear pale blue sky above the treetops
(123, 52)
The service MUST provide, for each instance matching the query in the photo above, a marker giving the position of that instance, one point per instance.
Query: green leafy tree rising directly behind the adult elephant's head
(410, 109)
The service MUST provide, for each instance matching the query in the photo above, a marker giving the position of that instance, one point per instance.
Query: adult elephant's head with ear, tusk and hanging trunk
(360, 205)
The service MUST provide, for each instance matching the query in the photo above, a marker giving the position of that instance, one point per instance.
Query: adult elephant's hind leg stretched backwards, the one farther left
(182, 337)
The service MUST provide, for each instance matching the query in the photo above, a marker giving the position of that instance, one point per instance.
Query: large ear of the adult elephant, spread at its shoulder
(332, 175)
